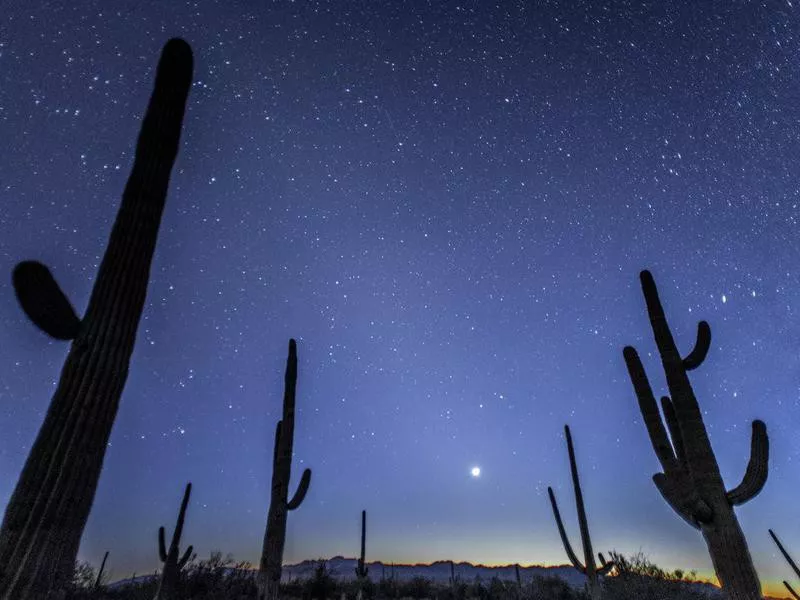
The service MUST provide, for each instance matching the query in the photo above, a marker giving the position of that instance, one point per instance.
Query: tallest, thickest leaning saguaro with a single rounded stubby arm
(48, 509)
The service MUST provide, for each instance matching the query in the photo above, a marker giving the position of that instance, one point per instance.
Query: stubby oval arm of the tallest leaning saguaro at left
(40, 296)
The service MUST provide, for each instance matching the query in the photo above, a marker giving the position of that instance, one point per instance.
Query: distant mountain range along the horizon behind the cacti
(344, 569)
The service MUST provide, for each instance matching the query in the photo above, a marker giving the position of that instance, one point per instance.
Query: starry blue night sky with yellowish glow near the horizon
(447, 205)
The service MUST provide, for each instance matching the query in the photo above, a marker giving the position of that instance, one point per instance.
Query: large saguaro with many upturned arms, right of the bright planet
(691, 482)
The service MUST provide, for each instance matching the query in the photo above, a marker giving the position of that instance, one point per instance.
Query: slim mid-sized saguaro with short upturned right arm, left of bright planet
(279, 505)
